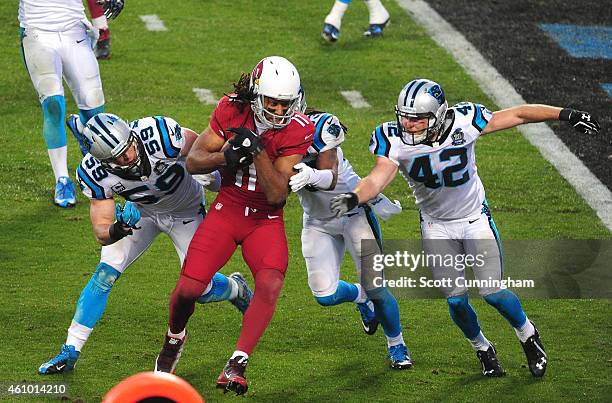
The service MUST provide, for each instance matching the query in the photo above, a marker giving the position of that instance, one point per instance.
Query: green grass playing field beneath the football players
(308, 353)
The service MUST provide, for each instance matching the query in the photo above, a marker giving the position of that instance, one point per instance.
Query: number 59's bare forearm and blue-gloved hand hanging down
(112, 222)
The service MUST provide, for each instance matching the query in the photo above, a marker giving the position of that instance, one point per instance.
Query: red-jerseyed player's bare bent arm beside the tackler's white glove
(274, 178)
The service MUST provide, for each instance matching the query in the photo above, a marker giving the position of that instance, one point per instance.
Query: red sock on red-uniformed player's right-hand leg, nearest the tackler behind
(268, 284)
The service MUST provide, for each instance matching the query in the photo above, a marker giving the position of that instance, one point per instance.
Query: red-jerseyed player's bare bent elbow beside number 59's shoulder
(205, 156)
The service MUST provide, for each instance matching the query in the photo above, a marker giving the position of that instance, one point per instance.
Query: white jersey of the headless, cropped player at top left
(50, 15)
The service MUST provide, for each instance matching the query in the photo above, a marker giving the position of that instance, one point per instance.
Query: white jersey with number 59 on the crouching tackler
(168, 188)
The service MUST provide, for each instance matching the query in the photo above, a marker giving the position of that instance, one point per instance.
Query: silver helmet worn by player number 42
(421, 99)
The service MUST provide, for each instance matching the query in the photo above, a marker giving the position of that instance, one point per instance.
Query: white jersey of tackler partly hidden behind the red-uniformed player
(329, 134)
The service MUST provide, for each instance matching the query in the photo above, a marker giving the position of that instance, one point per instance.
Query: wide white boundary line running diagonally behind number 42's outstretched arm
(504, 95)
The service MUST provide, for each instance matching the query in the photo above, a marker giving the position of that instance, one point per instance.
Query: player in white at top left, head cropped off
(56, 41)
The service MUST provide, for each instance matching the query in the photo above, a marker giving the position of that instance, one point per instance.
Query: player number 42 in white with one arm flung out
(433, 148)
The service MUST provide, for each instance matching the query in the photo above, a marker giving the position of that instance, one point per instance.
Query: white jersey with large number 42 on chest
(442, 175)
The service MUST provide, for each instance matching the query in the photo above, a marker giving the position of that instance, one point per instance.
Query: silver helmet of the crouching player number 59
(109, 136)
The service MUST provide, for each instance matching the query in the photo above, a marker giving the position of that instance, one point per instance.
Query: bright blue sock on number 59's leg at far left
(92, 301)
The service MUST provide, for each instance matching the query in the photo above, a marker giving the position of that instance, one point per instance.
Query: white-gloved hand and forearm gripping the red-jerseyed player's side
(324, 177)
